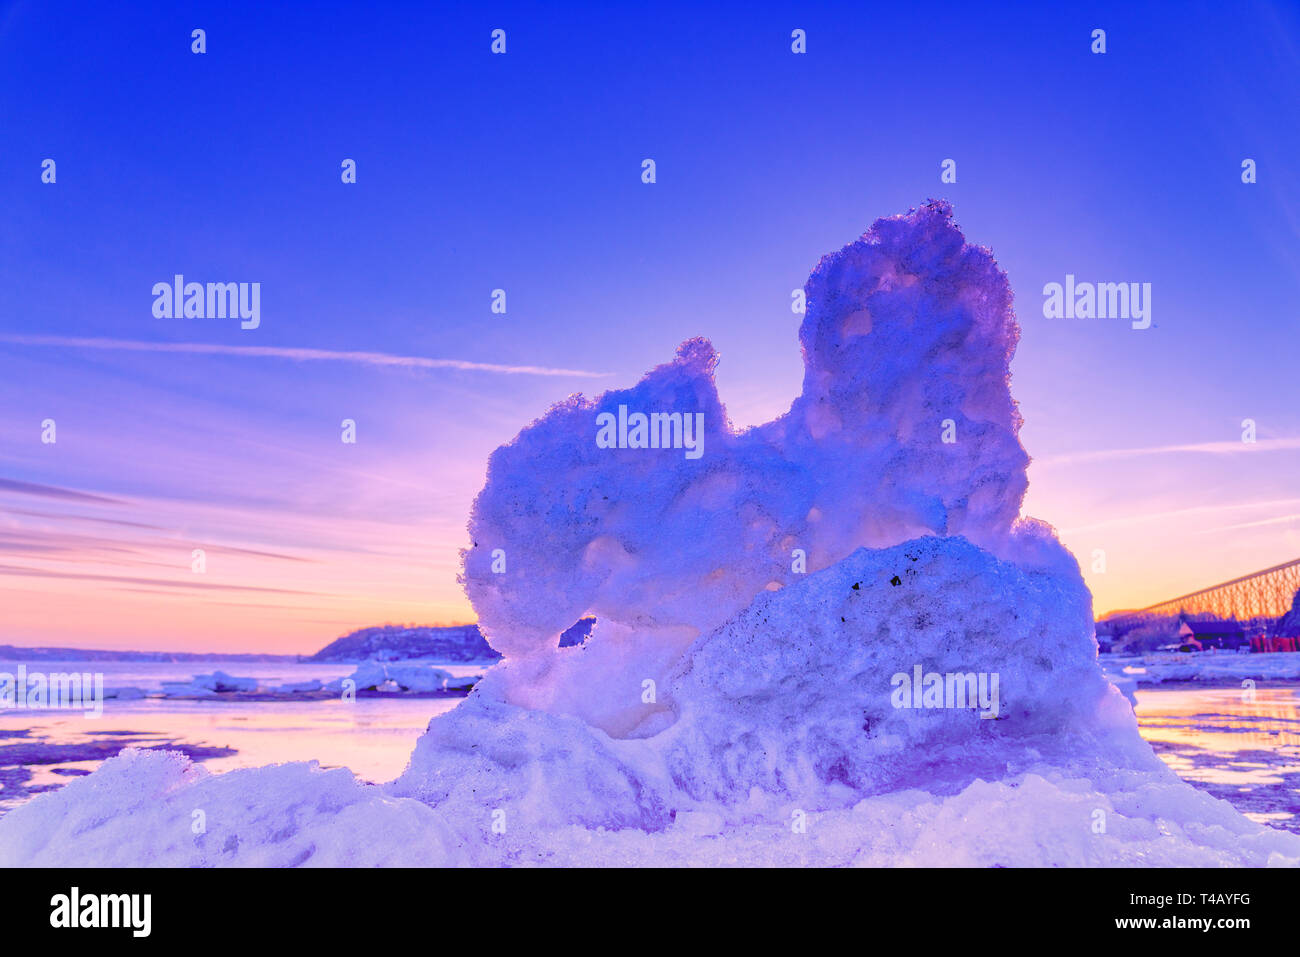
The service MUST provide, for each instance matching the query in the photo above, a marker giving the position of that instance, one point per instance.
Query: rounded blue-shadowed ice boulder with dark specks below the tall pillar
(798, 696)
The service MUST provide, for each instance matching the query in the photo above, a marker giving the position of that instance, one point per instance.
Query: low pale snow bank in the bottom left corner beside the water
(161, 809)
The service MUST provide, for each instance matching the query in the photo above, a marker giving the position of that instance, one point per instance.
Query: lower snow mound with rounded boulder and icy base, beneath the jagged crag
(779, 742)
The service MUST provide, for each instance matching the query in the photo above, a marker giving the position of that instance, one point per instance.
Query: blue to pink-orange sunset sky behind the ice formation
(523, 172)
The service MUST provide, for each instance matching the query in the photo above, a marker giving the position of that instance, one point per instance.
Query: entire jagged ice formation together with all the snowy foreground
(729, 709)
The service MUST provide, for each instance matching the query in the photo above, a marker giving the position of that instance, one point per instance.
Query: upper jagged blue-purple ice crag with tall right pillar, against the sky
(905, 330)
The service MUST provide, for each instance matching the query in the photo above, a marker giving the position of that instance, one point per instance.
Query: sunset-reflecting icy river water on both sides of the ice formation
(1242, 748)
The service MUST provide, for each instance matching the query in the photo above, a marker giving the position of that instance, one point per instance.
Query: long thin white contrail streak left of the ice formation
(376, 360)
